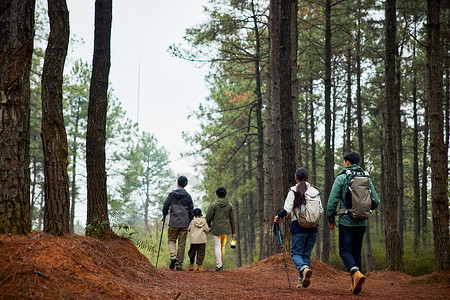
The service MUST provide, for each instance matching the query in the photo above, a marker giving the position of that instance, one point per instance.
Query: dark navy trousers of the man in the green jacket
(350, 244)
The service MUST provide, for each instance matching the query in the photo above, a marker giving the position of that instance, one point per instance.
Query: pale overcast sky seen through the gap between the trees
(170, 88)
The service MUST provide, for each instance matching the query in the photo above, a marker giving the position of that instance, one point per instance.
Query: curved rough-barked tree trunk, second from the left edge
(54, 138)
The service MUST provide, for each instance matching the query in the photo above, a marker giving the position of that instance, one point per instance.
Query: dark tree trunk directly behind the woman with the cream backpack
(286, 114)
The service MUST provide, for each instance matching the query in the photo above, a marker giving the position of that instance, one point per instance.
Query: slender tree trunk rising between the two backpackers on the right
(329, 169)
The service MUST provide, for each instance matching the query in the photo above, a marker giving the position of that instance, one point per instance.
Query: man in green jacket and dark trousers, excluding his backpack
(351, 230)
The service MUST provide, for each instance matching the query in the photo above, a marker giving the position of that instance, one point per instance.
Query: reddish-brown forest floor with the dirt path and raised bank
(42, 266)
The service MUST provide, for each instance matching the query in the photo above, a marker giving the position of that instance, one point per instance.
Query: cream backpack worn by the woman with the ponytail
(309, 218)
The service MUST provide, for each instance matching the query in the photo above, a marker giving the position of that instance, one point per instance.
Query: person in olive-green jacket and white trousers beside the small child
(220, 218)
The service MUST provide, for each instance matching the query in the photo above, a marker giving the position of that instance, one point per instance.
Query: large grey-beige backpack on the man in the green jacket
(358, 198)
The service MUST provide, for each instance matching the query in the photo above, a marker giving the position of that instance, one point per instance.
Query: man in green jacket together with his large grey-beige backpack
(354, 192)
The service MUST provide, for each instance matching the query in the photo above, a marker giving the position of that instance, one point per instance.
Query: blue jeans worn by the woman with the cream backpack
(301, 247)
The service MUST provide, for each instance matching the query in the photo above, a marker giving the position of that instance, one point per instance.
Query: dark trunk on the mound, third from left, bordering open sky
(97, 199)
